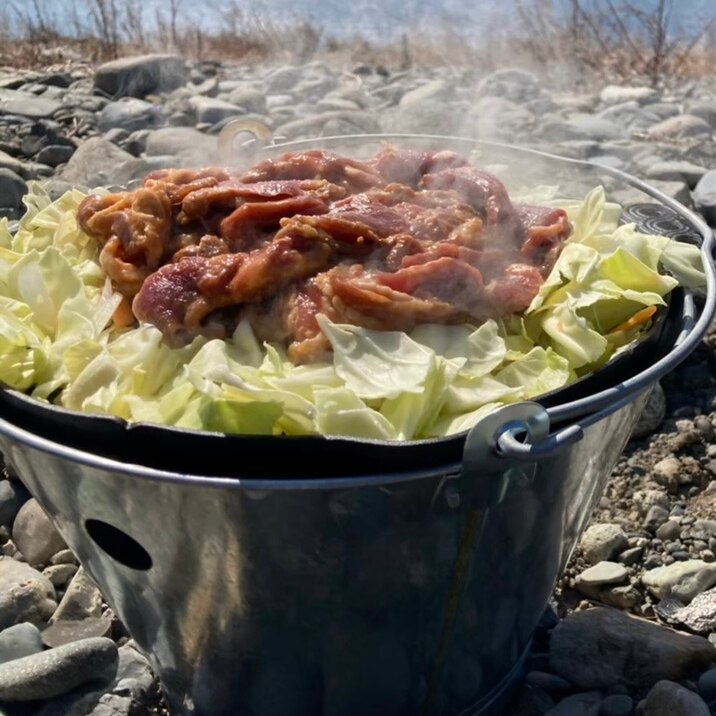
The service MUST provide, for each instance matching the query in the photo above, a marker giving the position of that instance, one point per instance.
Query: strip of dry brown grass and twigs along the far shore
(589, 46)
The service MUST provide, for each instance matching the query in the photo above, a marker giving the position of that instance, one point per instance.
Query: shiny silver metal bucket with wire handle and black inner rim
(390, 591)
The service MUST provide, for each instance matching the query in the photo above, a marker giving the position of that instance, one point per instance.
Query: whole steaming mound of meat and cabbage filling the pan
(397, 298)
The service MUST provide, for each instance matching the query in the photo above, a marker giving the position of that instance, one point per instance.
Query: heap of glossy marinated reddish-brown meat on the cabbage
(403, 239)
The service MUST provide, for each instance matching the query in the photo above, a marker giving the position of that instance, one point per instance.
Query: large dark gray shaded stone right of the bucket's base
(640, 652)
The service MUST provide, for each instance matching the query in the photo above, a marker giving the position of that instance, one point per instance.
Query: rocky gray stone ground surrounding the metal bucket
(650, 551)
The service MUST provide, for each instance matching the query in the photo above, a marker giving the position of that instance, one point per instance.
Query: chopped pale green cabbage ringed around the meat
(57, 340)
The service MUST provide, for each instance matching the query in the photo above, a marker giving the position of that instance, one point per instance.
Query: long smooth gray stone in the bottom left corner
(57, 671)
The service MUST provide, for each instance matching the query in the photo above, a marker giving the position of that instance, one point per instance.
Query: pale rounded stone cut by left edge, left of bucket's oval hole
(25, 595)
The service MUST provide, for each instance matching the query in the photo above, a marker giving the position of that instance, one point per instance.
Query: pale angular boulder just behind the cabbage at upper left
(98, 162)
